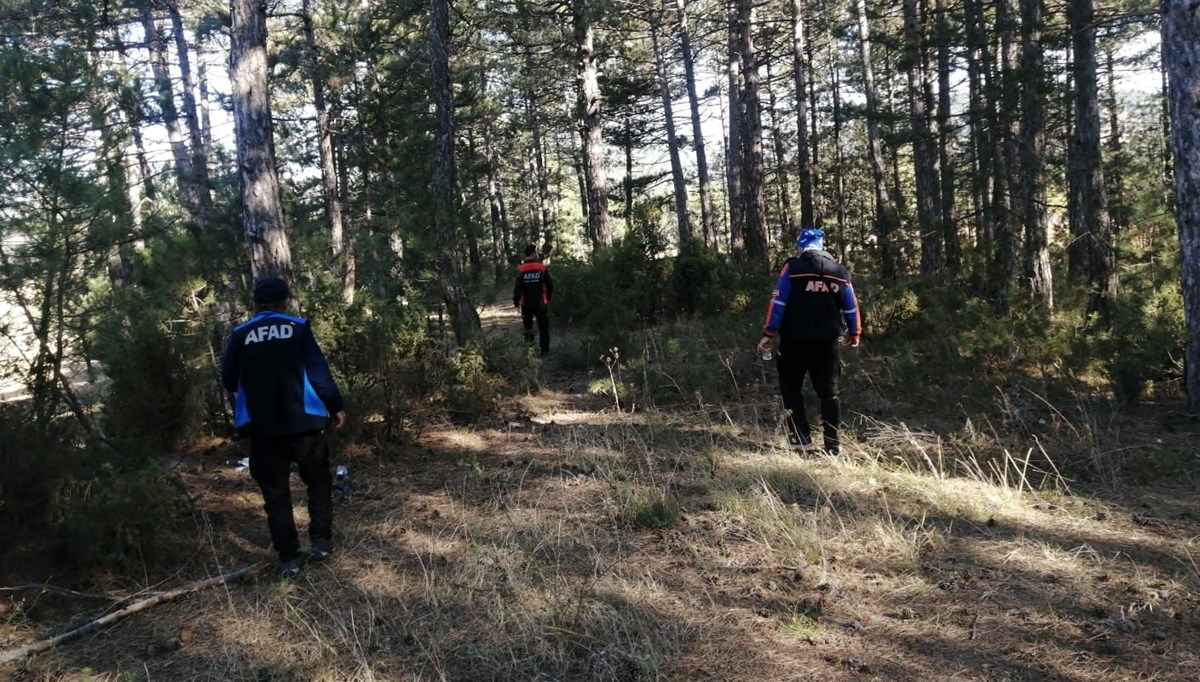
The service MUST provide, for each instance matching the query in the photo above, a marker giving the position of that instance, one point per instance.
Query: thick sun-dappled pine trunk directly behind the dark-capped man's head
(271, 252)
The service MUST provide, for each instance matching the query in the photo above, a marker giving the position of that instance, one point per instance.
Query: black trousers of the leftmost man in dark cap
(271, 464)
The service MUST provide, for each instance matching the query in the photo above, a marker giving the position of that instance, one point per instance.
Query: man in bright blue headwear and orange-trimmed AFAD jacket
(813, 306)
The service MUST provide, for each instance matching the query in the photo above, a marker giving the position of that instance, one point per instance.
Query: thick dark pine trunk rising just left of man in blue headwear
(754, 186)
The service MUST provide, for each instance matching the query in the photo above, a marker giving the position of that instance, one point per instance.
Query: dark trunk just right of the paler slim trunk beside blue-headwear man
(925, 165)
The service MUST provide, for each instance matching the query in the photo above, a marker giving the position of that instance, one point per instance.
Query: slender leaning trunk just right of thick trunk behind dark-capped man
(341, 246)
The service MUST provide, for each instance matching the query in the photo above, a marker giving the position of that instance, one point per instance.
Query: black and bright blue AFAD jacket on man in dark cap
(280, 378)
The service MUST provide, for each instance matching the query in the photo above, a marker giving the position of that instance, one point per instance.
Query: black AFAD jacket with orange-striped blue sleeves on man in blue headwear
(813, 300)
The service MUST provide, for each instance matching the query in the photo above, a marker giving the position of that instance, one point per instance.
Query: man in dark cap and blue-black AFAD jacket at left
(286, 397)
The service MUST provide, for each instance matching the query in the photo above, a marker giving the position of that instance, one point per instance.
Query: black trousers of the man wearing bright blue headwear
(819, 361)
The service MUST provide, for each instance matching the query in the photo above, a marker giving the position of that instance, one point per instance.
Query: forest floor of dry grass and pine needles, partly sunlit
(565, 540)
